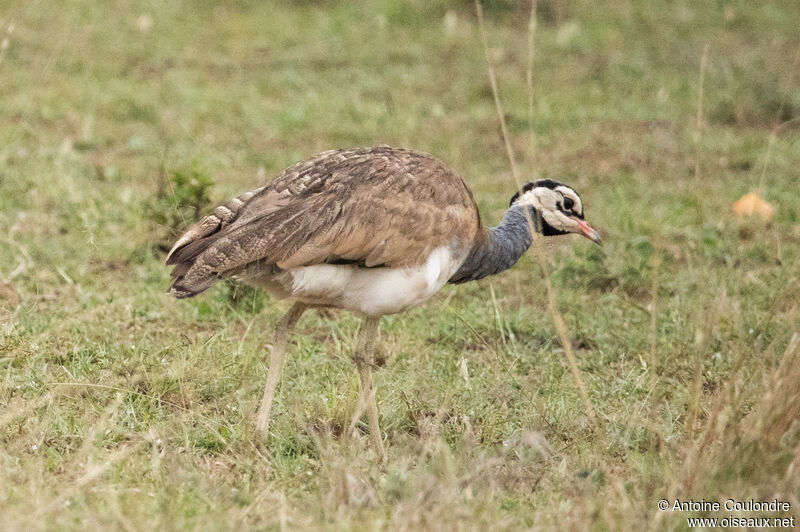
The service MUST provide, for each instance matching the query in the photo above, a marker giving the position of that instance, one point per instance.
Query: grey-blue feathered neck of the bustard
(505, 246)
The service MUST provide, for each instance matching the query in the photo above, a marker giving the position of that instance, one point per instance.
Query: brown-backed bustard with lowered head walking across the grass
(372, 230)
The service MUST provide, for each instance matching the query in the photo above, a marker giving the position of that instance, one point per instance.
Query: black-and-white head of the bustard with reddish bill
(556, 209)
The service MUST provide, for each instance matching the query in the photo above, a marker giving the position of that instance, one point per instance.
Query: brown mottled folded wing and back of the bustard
(372, 206)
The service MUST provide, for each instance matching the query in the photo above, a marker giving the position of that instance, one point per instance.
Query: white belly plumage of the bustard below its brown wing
(372, 291)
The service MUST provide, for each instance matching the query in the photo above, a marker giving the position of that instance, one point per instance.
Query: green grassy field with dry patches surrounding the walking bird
(121, 408)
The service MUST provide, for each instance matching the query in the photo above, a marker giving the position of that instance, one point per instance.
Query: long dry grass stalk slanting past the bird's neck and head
(561, 327)
